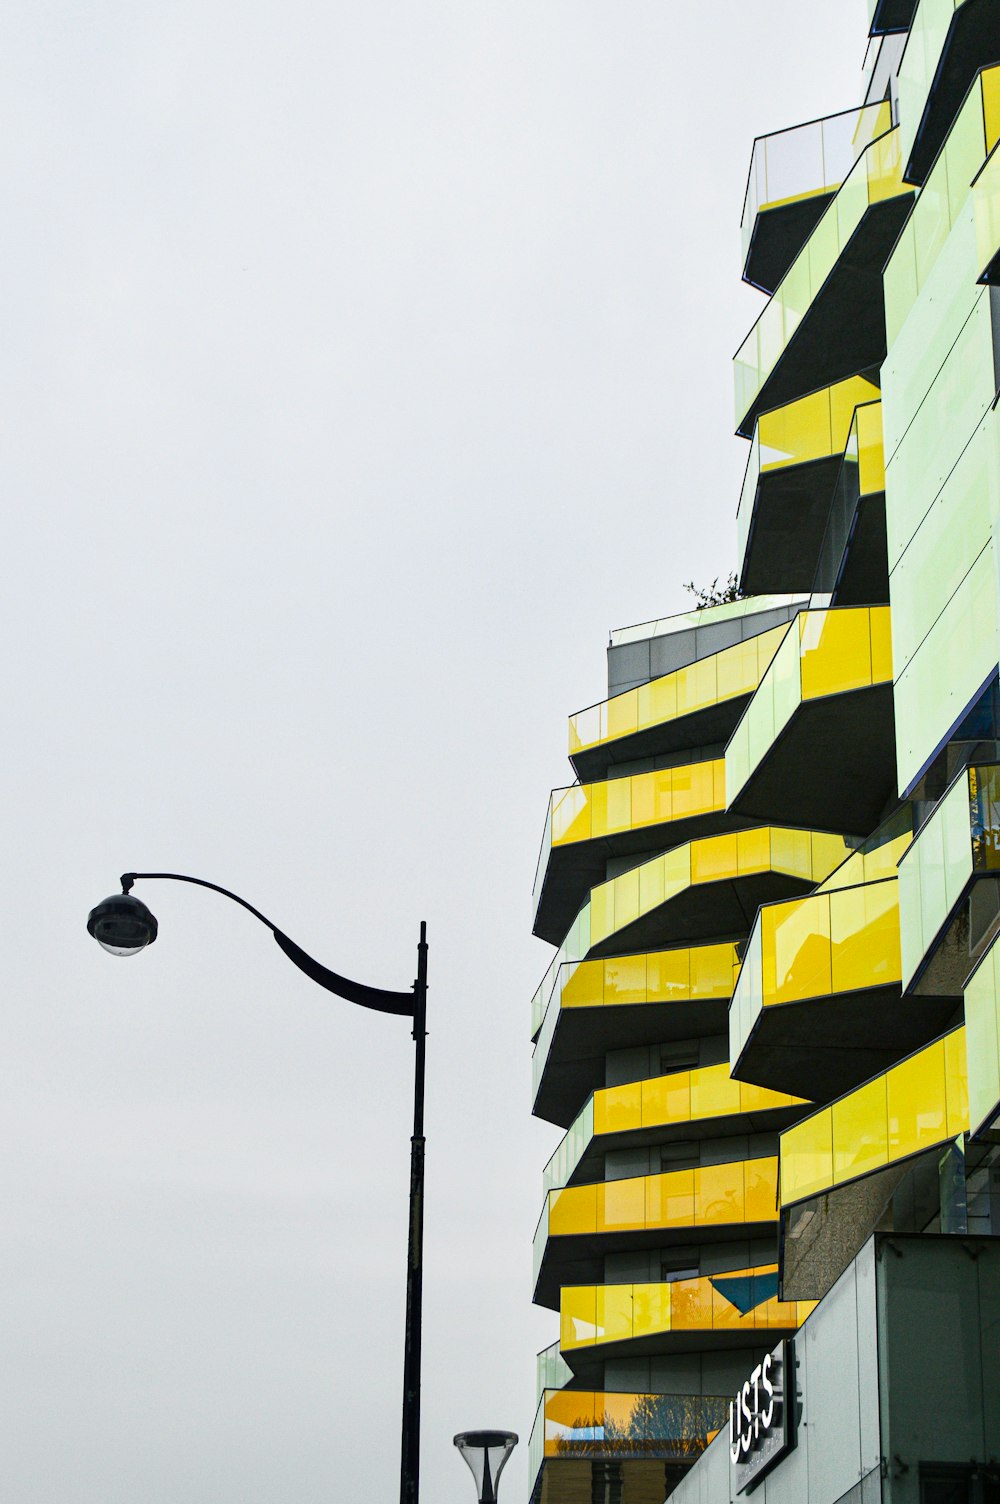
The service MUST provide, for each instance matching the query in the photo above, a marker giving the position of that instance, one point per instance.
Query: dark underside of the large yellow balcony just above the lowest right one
(823, 1048)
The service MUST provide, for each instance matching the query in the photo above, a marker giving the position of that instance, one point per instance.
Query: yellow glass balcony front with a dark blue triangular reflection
(611, 1315)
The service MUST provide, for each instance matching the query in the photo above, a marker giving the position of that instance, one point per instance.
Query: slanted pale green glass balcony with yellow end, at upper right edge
(971, 141)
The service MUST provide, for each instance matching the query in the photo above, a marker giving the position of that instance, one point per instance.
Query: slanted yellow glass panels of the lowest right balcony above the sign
(920, 1105)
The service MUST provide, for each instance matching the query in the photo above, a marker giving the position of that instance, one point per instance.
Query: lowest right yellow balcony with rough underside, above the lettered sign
(840, 1166)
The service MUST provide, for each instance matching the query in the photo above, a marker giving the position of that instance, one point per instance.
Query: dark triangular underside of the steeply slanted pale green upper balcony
(843, 332)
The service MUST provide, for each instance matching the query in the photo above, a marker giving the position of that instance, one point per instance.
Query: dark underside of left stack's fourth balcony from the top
(575, 1064)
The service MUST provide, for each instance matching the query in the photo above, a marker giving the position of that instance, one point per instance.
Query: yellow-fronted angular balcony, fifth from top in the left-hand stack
(703, 1103)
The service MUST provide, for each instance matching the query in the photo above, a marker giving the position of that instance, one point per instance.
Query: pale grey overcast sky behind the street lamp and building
(363, 366)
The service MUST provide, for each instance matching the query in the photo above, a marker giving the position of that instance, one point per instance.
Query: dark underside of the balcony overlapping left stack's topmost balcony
(832, 768)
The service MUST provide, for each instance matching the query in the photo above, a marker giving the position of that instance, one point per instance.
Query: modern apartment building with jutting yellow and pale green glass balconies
(772, 1023)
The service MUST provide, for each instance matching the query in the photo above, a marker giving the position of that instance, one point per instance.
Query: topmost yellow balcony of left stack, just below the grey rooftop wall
(695, 706)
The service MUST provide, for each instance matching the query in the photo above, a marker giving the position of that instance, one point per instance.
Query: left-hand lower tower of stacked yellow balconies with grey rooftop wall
(658, 1234)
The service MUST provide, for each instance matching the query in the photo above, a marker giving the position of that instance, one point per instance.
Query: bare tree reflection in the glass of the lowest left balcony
(671, 1427)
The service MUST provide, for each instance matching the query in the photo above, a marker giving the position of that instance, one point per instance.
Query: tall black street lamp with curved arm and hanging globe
(124, 926)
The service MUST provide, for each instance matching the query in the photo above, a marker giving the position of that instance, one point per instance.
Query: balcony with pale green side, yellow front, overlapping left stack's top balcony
(817, 744)
